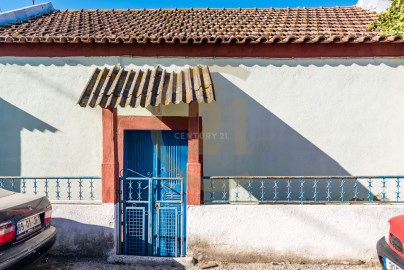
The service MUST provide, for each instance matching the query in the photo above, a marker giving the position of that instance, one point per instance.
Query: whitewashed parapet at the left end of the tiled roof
(26, 13)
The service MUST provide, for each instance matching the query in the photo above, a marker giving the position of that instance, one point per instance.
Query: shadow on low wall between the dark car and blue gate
(80, 239)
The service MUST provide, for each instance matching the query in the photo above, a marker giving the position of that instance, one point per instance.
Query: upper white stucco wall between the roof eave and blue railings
(271, 117)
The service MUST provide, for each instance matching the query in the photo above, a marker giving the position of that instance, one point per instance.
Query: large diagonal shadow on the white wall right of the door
(243, 138)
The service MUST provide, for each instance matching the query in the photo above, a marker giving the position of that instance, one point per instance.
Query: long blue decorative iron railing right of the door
(302, 189)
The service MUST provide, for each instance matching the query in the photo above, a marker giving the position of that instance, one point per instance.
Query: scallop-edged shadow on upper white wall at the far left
(12, 121)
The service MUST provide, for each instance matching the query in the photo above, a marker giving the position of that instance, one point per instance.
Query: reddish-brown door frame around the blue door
(113, 127)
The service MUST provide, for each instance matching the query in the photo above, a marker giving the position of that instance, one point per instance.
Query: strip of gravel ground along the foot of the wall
(98, 264)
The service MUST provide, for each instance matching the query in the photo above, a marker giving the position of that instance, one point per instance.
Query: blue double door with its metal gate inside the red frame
(152, 193)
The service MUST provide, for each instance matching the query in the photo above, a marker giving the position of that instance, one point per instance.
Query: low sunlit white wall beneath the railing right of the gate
(294, 233)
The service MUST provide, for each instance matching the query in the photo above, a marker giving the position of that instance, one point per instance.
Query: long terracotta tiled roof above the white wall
(270, 25)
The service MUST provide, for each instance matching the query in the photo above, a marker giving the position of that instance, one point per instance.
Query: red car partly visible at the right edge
(390, 248)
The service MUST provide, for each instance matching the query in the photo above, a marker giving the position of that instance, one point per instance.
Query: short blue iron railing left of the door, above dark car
(58, 188)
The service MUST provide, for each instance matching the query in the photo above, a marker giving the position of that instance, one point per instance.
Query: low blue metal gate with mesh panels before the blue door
(158, 197)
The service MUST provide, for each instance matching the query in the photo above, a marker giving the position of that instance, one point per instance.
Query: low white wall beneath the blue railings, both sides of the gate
(244, 233)
